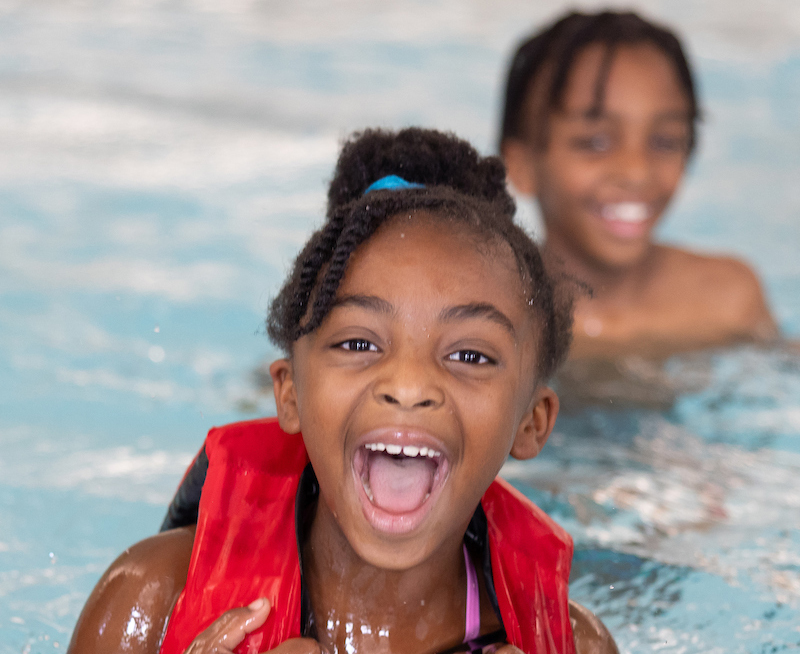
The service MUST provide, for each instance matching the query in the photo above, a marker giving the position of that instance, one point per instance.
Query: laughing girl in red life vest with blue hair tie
(419, 327)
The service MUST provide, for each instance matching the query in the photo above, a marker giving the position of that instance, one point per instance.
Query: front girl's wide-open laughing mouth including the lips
(398, 482)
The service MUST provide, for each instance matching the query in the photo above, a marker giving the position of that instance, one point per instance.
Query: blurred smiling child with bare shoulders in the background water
(599, 122)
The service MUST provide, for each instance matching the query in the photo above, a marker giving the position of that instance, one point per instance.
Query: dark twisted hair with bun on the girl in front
(459, 186)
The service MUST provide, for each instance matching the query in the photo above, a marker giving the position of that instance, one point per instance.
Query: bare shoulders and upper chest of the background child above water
(682, 301)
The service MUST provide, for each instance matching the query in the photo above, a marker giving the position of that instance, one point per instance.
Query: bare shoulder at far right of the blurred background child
(724, 288)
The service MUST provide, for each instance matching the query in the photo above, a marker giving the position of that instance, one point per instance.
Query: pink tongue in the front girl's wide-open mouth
(400, 484)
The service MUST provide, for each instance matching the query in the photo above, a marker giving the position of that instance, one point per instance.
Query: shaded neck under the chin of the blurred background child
(609, 284)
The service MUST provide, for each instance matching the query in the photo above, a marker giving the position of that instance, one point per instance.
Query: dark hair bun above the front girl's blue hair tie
(419, 156)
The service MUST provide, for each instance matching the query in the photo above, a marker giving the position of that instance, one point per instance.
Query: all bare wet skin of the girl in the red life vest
(431, 339)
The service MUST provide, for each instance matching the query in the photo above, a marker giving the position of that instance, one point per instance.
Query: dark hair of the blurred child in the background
(559, 45)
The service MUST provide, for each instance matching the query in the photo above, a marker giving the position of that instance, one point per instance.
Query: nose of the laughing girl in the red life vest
(409, 382)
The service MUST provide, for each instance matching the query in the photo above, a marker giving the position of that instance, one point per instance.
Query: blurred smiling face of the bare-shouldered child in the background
(604, 181)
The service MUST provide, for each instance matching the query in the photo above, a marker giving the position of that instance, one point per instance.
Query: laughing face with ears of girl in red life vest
(415, 388)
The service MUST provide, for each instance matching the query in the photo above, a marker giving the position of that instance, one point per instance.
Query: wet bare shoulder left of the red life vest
(128, 609)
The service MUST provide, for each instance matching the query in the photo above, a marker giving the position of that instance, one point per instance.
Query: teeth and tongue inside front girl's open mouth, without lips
(398, 479)
